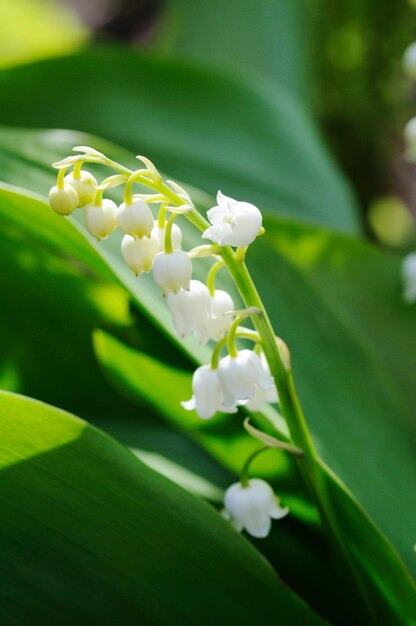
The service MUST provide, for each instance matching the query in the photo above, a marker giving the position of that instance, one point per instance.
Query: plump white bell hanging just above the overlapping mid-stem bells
(172, 271)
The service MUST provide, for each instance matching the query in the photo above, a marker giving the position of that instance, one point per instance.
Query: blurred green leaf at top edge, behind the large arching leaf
(274, 40)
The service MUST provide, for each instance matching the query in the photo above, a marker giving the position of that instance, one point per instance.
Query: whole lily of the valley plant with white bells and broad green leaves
(207, 391)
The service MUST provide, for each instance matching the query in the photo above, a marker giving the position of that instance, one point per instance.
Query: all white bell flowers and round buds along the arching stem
(152, 242)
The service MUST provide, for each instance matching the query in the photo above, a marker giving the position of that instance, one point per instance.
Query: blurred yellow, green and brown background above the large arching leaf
(342, 61)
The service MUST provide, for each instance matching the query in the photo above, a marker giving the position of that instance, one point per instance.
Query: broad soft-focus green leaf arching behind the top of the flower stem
(206, 127)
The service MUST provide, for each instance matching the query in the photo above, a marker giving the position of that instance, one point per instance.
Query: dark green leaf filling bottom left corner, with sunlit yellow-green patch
(89, 535)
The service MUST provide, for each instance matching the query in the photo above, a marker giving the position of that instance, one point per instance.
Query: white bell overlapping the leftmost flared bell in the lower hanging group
(241, 375)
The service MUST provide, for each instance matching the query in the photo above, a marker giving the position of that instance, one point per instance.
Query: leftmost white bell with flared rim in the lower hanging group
(207, 396)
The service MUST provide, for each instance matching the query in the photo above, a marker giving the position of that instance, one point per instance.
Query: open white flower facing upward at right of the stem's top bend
(234, 223)
